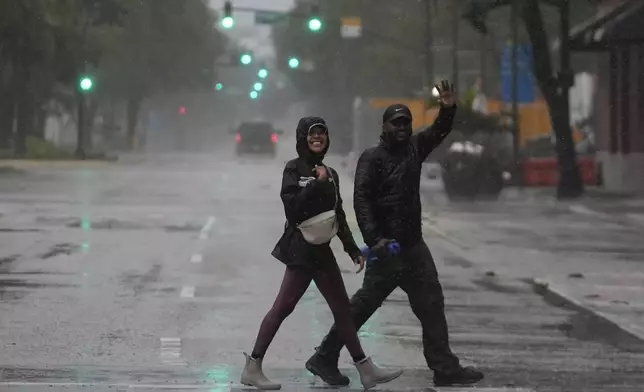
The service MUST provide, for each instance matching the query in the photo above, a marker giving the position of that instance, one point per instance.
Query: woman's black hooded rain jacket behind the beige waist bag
(303, 197)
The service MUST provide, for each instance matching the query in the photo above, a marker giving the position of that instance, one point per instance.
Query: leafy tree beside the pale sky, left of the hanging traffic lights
(163, 46)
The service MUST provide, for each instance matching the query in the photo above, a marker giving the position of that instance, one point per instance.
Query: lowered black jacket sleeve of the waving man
(363, 198)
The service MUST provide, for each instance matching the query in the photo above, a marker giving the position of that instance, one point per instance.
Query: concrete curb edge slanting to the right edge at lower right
(624, 331)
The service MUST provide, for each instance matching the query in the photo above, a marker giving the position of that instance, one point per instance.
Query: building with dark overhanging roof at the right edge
(617, 36)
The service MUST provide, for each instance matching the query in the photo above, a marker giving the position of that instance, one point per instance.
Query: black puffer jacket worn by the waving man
(387, 183)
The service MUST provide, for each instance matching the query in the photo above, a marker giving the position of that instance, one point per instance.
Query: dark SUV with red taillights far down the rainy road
(257, 137)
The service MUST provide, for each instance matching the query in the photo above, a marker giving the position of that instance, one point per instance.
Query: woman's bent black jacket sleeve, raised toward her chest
(297, 199)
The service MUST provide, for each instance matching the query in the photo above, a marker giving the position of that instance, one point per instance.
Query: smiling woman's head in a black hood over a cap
(312, 139)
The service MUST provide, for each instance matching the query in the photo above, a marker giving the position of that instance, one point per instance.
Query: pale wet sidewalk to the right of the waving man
(590, 262)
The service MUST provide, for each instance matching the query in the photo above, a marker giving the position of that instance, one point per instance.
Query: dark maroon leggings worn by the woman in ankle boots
(296, 281)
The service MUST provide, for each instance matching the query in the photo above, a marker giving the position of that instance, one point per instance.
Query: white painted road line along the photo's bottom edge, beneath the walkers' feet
(220, 386)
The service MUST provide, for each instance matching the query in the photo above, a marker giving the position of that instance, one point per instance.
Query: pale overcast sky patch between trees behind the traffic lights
(255, 38)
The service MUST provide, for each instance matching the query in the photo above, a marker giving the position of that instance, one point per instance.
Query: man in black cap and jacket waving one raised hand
(387, 205)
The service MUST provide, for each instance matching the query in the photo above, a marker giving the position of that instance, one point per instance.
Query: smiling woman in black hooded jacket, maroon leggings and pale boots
(310, 188)
